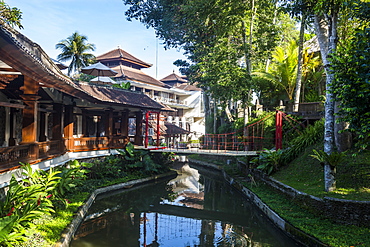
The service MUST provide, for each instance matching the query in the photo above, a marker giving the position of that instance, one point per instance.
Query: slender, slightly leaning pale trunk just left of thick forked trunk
(297, 92)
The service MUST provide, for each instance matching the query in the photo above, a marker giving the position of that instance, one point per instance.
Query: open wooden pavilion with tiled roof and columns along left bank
(44, 114)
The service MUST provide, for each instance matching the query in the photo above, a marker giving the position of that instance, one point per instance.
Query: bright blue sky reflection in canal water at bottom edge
(170, 230)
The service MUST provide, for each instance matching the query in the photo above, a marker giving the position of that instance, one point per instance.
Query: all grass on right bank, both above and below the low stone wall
(306, 174)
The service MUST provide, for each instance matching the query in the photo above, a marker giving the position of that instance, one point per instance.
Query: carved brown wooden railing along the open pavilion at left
(10, 157)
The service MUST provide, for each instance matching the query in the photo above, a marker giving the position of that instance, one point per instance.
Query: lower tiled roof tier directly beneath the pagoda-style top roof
(136, 75)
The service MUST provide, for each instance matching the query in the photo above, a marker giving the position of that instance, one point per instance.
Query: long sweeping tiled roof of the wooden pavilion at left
(27, 57)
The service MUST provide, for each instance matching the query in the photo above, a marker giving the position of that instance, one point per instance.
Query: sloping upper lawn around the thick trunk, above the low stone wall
(306, 174)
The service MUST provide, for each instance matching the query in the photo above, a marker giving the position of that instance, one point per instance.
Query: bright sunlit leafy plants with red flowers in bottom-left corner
(37, 194)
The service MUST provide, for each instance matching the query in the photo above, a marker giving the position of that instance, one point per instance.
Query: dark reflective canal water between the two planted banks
(194, 209)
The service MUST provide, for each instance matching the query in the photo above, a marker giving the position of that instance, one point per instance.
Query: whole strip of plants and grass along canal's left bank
(29, 201)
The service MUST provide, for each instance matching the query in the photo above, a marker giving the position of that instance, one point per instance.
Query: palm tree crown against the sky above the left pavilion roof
(76, 48)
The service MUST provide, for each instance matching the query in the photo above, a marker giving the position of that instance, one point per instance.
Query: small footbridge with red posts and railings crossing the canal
(247, 141)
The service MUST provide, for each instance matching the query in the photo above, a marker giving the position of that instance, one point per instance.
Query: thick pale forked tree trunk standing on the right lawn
(326, 33)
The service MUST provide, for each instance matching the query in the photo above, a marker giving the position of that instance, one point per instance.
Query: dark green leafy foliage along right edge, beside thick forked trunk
(351, 65)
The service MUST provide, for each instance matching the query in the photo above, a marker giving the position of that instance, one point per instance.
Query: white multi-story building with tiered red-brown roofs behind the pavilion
(173, 91)
